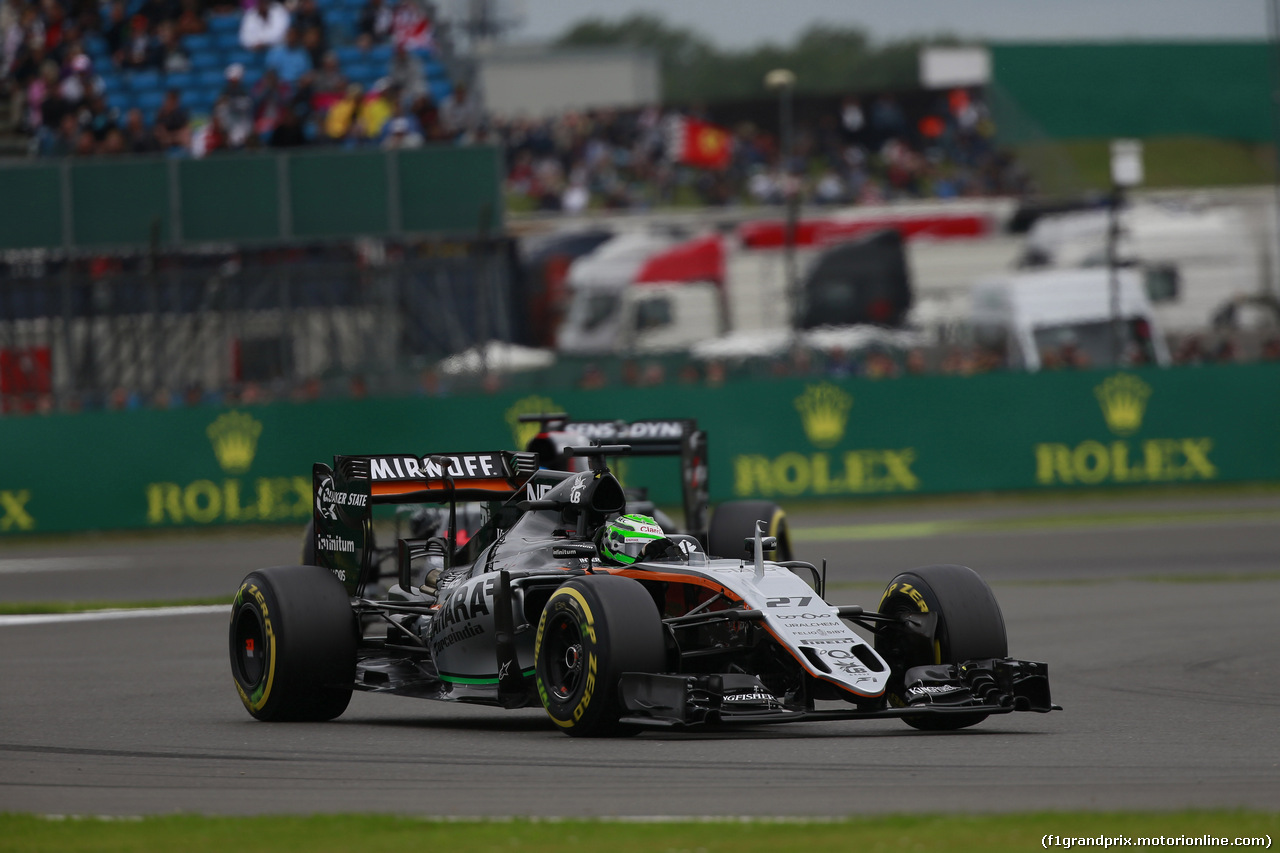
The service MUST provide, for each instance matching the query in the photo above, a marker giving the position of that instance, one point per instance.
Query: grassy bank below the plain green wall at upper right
(1072, 166)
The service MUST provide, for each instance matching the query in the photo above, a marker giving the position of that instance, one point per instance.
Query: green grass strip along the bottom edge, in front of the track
(371, 834)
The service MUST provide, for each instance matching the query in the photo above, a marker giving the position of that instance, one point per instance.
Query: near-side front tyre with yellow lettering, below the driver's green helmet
(593, 631)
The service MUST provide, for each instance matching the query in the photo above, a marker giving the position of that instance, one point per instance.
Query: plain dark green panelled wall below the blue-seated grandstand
(145, 203)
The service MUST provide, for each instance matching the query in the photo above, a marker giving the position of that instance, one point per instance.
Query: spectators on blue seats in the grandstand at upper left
(193, 77)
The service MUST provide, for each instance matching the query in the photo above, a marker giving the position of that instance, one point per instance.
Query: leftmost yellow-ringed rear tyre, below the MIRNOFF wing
(294, 645)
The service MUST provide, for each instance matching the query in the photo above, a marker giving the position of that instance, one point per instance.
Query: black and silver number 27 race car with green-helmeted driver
(606, 621)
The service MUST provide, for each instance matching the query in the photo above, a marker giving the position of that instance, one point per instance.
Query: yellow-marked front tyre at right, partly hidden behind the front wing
(970, 627)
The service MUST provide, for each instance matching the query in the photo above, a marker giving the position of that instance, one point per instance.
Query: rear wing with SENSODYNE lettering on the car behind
(676, 437)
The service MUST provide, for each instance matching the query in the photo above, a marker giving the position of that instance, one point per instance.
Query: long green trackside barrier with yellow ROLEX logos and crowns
(783, 440)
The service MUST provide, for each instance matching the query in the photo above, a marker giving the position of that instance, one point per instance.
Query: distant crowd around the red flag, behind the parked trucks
(854, 154)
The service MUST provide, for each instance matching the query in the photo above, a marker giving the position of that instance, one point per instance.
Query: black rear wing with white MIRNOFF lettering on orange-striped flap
(346, 494)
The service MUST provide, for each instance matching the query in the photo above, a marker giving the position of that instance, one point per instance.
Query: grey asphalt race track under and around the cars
(1158, 618)
